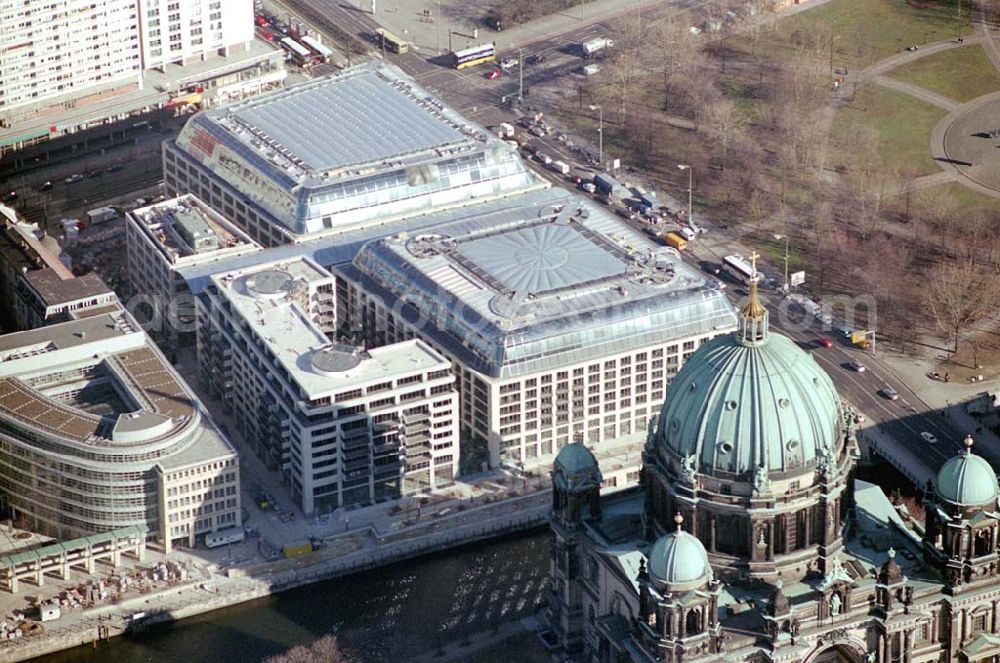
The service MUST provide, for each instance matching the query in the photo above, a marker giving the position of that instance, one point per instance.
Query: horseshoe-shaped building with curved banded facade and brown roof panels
(98, 432)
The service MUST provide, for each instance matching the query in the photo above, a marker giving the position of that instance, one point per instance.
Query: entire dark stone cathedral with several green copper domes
(746, 541)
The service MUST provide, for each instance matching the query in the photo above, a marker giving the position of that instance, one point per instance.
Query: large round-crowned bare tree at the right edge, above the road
(959, 293)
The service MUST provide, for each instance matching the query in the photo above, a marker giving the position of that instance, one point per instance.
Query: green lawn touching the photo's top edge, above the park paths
(867, 31)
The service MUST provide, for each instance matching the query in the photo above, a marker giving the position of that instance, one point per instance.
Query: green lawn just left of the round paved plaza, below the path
(903, 125)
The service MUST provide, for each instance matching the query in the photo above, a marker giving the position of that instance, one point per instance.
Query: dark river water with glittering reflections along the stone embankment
(383, 615)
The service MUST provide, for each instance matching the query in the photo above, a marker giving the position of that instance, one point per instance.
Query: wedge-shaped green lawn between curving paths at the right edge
(960, 74)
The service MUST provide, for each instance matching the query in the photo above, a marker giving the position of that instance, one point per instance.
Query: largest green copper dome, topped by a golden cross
(748, 400)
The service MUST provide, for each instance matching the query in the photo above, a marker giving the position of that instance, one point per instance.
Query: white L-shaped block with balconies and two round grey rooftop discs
(343, 425)
